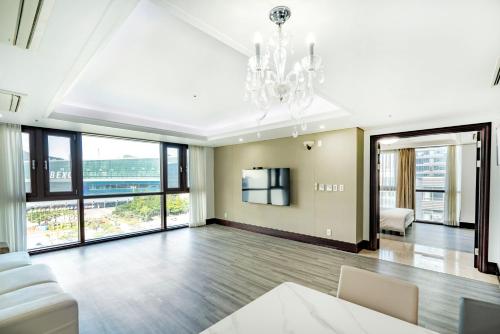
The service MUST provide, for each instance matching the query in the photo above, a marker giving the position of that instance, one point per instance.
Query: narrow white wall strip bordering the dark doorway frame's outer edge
(494, 242)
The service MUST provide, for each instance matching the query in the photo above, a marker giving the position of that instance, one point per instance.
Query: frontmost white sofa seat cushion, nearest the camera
(28, 294)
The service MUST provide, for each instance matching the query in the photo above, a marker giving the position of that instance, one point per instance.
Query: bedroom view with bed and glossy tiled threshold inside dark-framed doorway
(427, 205)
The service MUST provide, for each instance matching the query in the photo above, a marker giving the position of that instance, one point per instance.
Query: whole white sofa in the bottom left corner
(31, 300)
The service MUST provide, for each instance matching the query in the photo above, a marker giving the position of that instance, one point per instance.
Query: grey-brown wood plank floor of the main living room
(185, 280)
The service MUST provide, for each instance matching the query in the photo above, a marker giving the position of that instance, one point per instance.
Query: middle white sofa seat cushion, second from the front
(14, 279)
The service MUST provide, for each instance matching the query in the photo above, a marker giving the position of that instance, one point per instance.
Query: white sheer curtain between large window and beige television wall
(198, 185)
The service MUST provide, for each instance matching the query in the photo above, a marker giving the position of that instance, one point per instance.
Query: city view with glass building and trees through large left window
(56, 222)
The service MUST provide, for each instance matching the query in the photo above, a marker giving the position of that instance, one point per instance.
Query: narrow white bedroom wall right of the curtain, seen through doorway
(468, 182)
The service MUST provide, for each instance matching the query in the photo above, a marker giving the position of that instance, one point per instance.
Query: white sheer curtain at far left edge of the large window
(12, 191)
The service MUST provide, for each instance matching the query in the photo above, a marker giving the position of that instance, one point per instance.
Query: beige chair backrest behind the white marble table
(381, 293)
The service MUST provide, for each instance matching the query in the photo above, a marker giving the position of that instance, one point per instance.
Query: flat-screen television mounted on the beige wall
(266, 186)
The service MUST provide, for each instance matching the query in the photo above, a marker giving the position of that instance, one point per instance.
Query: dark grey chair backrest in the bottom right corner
(478, 317)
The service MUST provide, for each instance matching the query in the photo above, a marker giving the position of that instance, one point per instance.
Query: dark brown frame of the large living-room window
(40, 181)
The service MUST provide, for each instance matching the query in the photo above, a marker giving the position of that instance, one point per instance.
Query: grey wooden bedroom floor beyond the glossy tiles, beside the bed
(438, 236)
